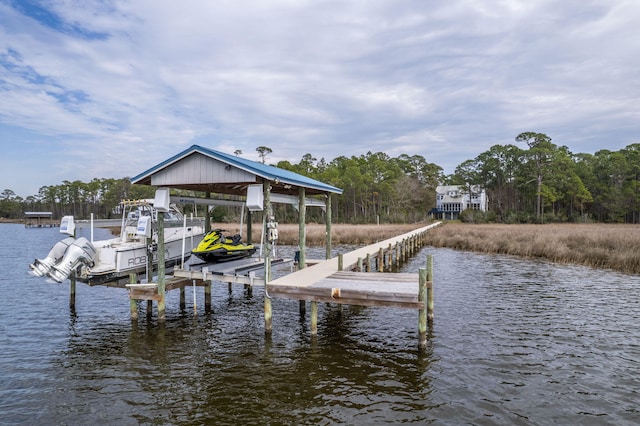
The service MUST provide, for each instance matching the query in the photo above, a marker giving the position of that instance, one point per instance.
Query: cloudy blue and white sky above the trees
(110, 88)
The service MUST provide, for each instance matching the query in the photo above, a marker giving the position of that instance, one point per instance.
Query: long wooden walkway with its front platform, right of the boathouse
(355, 279)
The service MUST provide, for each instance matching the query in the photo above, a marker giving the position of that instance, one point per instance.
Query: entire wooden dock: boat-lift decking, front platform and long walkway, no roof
(354, 278)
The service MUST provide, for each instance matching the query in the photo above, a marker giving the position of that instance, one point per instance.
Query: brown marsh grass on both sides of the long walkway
(604, 246)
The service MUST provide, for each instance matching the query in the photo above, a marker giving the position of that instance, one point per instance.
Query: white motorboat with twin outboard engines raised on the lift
(111, 261)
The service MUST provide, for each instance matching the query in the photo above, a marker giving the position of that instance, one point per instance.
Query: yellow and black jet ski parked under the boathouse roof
(216, 247)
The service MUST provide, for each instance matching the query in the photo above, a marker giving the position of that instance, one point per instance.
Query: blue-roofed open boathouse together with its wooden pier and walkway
(213, 172)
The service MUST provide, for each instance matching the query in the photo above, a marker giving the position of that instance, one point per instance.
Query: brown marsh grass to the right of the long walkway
(603, 246)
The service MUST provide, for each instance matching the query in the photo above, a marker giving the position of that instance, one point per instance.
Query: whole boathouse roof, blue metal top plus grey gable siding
(203, 169)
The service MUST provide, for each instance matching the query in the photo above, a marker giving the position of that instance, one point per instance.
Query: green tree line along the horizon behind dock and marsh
(532, 180)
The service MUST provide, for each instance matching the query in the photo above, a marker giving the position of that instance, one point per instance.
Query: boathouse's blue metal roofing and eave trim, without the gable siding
(259, 169)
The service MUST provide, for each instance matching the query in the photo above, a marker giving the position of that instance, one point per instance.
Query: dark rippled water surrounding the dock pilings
(514, 342)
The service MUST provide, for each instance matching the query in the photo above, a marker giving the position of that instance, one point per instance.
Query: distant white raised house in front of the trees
(451, 200)
